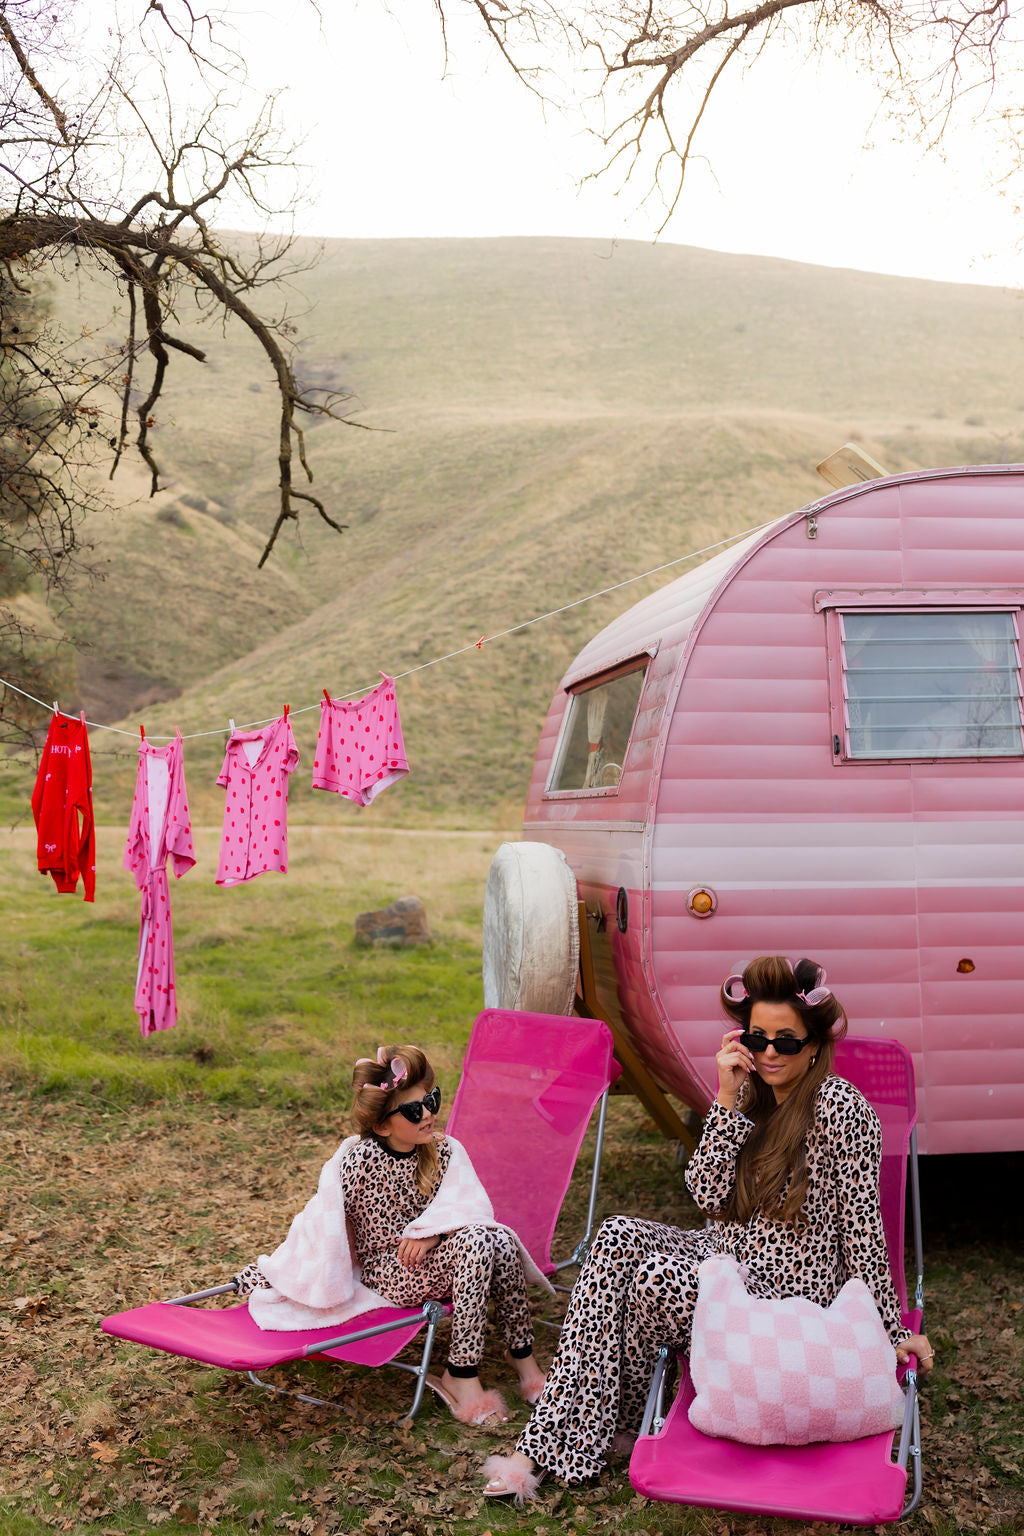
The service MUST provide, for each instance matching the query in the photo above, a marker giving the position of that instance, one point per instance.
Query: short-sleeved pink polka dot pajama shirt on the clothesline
(256, 778)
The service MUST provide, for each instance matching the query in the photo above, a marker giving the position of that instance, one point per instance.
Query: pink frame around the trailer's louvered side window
(896, 600)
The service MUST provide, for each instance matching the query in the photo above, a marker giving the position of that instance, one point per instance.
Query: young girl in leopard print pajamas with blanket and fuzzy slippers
(420, 1226)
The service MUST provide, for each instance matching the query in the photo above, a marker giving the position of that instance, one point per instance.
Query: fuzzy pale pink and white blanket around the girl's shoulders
(314, 1274)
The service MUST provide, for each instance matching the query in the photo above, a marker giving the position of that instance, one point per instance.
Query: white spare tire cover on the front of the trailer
(530, 930)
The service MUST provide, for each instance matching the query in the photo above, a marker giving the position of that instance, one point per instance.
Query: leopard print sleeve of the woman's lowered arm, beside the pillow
(854, 1137)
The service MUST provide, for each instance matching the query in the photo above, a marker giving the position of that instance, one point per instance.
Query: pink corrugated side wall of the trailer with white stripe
(888, 873)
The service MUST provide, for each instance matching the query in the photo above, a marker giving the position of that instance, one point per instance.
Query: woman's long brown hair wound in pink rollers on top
(771, 1171)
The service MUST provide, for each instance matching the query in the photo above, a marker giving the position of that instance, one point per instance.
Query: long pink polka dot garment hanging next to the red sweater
(160, 829)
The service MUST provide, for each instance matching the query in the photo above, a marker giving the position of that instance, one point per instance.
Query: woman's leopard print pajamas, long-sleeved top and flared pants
(638, 1288)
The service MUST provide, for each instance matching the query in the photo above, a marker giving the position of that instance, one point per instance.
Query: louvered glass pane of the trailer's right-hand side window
(931, 684)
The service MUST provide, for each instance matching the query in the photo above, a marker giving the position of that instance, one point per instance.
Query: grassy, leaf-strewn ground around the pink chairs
(136, 1170)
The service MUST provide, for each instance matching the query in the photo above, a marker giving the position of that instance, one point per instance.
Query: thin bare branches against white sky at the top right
(653, 67)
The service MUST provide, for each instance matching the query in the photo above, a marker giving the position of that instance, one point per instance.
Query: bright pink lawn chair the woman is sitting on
(856, 1483)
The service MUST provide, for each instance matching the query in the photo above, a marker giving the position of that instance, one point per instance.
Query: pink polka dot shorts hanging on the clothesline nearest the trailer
(360, 746)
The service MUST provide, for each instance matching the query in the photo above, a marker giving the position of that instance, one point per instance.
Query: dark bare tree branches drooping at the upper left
(61, 202)
